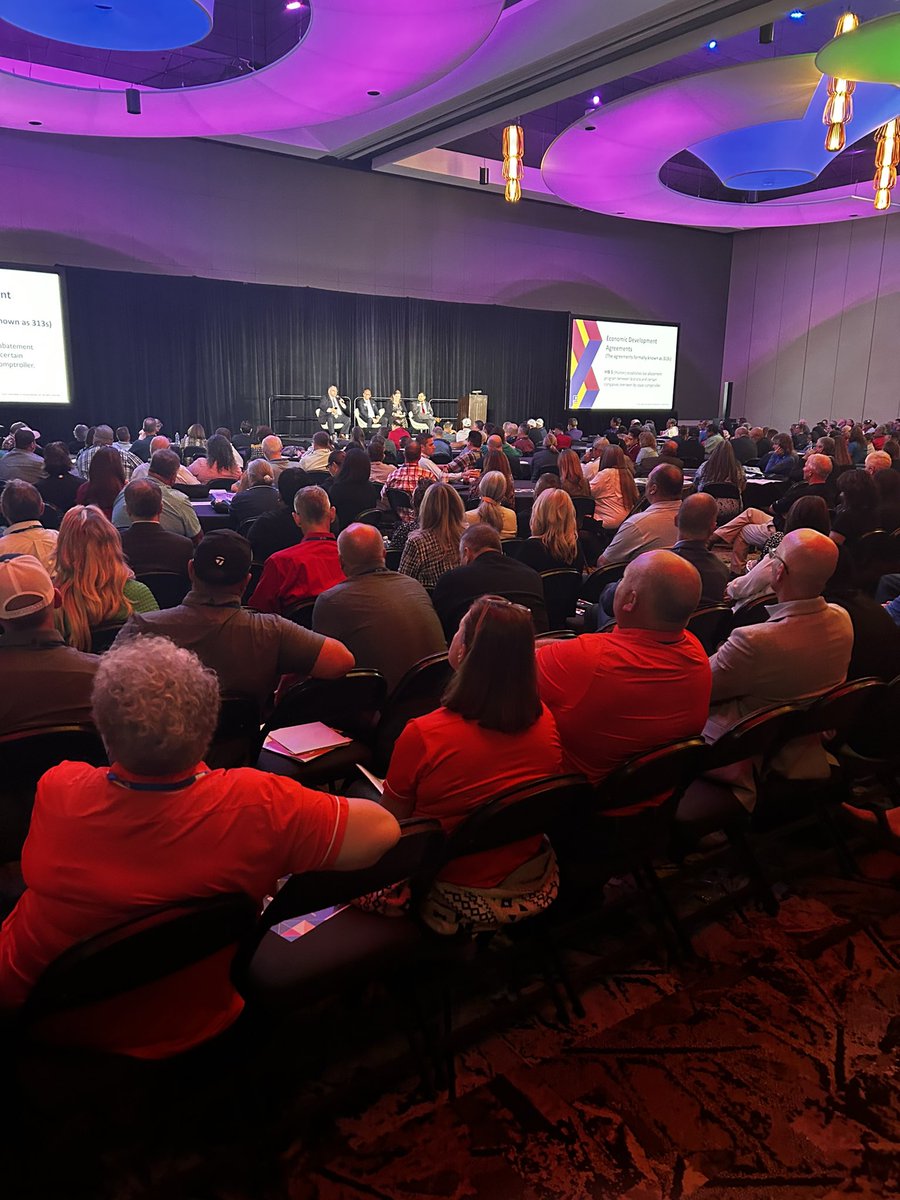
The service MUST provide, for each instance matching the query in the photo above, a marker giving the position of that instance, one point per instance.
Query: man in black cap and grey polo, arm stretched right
(249, 651)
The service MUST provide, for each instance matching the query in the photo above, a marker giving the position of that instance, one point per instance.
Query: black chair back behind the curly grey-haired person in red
(149, 946)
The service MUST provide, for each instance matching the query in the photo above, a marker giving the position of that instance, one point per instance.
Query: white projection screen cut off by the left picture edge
(34, 347)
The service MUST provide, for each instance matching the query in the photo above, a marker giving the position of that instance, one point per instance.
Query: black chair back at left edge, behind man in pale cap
(25, 758)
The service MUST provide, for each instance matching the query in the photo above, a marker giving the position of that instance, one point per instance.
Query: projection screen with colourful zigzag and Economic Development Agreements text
(622, 367)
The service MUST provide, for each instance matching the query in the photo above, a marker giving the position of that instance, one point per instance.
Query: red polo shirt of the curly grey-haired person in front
(99, 854)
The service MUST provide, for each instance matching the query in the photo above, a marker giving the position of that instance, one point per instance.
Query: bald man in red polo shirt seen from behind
(646, 683)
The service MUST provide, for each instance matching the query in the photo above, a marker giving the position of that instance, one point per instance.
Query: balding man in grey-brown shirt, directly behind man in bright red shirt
(383, 617)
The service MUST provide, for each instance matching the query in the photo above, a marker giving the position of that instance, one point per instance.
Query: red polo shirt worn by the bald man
(616, 695)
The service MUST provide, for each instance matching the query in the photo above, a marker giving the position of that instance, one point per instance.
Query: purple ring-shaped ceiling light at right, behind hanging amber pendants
(616, 169)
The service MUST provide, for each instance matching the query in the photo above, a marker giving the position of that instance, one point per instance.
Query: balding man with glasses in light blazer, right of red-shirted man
(801, 652)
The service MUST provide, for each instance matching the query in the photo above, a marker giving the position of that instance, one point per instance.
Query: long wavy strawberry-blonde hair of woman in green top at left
(91, 575)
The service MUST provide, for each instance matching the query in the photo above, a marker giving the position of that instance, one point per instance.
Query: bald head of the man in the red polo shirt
(659, 591)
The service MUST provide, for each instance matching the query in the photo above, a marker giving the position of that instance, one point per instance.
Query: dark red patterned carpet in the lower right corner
(769, 1070)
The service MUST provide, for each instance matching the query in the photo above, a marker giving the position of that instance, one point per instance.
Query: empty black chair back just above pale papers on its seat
(351, 705)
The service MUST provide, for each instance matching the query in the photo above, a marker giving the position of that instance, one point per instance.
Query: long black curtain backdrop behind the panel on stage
(193, 350)
